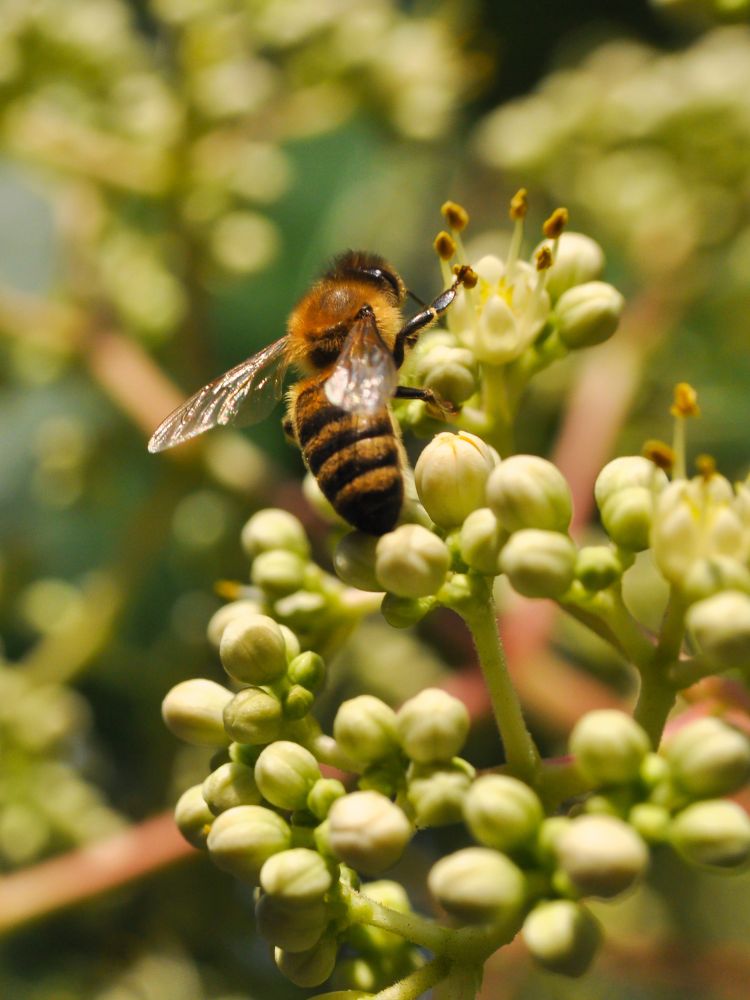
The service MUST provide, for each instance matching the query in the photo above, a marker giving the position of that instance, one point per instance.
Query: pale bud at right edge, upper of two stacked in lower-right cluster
(709, 758)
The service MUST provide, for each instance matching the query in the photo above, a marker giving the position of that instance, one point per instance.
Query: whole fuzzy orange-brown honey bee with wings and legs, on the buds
(348, 339)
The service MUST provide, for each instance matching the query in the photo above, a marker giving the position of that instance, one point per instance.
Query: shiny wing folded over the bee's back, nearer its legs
(364, 377)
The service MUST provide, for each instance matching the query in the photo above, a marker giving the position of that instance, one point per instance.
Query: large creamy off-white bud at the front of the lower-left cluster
(368, 831)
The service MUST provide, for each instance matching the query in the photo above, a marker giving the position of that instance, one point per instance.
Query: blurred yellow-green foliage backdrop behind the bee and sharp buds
(173, 173)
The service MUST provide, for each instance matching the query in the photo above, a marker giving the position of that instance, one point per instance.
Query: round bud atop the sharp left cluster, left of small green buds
(253, 650)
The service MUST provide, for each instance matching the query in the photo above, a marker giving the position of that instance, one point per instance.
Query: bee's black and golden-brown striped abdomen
(354, 457)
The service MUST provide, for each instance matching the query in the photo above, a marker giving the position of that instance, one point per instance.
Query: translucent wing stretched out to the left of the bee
(245, 394)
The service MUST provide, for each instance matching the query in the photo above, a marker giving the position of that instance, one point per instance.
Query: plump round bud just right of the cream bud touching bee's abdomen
(526, 491)
